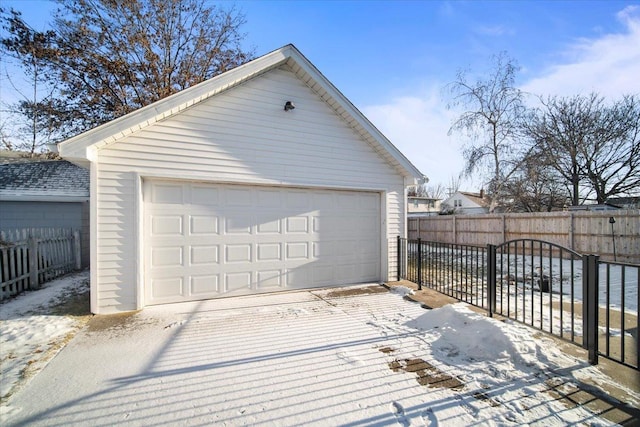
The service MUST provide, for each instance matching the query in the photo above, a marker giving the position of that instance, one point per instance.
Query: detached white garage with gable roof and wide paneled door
(263, 178)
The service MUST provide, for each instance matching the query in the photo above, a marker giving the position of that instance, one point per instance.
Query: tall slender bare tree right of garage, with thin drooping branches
(495, 108)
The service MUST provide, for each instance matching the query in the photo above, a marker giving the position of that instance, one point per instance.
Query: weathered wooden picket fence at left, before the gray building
(31, 257)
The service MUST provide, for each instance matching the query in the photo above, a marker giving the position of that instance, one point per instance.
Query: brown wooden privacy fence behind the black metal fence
(585, 232)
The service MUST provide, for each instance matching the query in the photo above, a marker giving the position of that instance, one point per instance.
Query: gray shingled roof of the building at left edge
(44, 179)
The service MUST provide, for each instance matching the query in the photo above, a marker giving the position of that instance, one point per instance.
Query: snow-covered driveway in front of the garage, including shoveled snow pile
(352, 356)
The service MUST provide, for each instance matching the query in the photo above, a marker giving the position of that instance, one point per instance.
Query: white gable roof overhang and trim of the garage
(82, 147)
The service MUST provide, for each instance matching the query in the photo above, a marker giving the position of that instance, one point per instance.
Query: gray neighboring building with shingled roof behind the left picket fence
(44, 194)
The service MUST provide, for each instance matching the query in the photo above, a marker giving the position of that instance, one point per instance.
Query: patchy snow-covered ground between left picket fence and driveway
(29, 334)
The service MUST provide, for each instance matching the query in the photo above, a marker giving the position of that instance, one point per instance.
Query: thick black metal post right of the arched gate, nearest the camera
(590, 312)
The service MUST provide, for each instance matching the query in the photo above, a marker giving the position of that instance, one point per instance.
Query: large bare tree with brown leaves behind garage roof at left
(108, 58)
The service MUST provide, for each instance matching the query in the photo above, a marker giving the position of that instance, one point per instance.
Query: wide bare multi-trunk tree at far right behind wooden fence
(594, 146)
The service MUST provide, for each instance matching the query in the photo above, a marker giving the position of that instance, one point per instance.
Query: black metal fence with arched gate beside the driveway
(576, 297)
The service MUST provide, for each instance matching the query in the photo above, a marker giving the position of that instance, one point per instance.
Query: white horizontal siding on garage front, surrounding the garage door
(240, 136)
